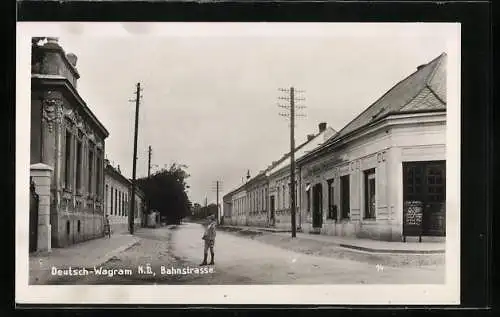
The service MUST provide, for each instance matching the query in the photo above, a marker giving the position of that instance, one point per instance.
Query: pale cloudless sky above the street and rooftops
(210, 92)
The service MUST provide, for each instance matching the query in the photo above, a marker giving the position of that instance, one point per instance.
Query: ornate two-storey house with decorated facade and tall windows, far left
(66, 153)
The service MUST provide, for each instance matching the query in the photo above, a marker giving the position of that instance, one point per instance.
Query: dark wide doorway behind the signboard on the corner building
(425, 184)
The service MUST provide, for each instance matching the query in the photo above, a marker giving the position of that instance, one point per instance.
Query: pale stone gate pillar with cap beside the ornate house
(41, 175)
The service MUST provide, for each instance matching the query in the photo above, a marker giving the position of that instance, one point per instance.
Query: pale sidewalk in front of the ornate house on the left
(82, 255)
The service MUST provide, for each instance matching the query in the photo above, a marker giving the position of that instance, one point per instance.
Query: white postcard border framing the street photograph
(448, 293)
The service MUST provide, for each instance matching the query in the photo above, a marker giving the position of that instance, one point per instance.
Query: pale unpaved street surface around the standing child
(241, 260)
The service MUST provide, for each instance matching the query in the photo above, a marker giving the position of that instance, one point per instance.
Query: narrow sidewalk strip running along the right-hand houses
(365, 245)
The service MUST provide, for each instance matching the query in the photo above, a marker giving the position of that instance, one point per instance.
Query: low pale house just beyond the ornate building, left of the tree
(117, 202)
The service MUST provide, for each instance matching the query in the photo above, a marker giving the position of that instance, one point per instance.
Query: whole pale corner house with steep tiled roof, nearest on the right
(383, 175)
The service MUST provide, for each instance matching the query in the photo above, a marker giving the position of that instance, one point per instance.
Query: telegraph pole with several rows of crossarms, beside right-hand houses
(292, 107)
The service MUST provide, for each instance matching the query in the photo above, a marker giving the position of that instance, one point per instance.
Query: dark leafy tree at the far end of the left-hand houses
(165, 190)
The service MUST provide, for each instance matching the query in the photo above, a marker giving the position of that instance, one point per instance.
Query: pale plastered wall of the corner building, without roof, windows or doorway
(384, 150)
